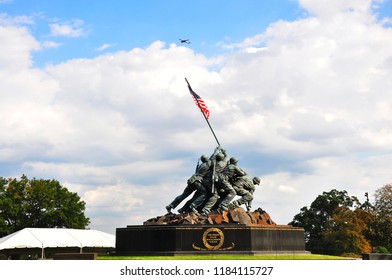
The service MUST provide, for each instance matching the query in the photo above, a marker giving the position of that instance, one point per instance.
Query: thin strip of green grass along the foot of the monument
(226, 257)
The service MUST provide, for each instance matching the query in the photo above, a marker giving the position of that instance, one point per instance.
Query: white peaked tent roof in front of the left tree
(57, 237)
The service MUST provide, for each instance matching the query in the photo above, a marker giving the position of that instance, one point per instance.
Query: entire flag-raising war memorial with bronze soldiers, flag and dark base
(217, 219)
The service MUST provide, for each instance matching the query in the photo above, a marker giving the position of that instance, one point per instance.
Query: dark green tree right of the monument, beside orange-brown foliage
(317, 218)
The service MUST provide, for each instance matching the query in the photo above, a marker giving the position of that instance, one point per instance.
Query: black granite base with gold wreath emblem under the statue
(209, 239)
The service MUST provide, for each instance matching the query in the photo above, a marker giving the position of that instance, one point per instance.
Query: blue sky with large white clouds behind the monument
(93, 95)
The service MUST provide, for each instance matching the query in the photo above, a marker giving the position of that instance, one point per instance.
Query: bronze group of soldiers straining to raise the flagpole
(216, 182)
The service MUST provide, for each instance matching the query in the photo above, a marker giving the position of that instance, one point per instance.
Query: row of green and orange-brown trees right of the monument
(338, 224)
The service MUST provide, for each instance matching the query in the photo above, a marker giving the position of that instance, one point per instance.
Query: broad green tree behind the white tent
(38, 203)
